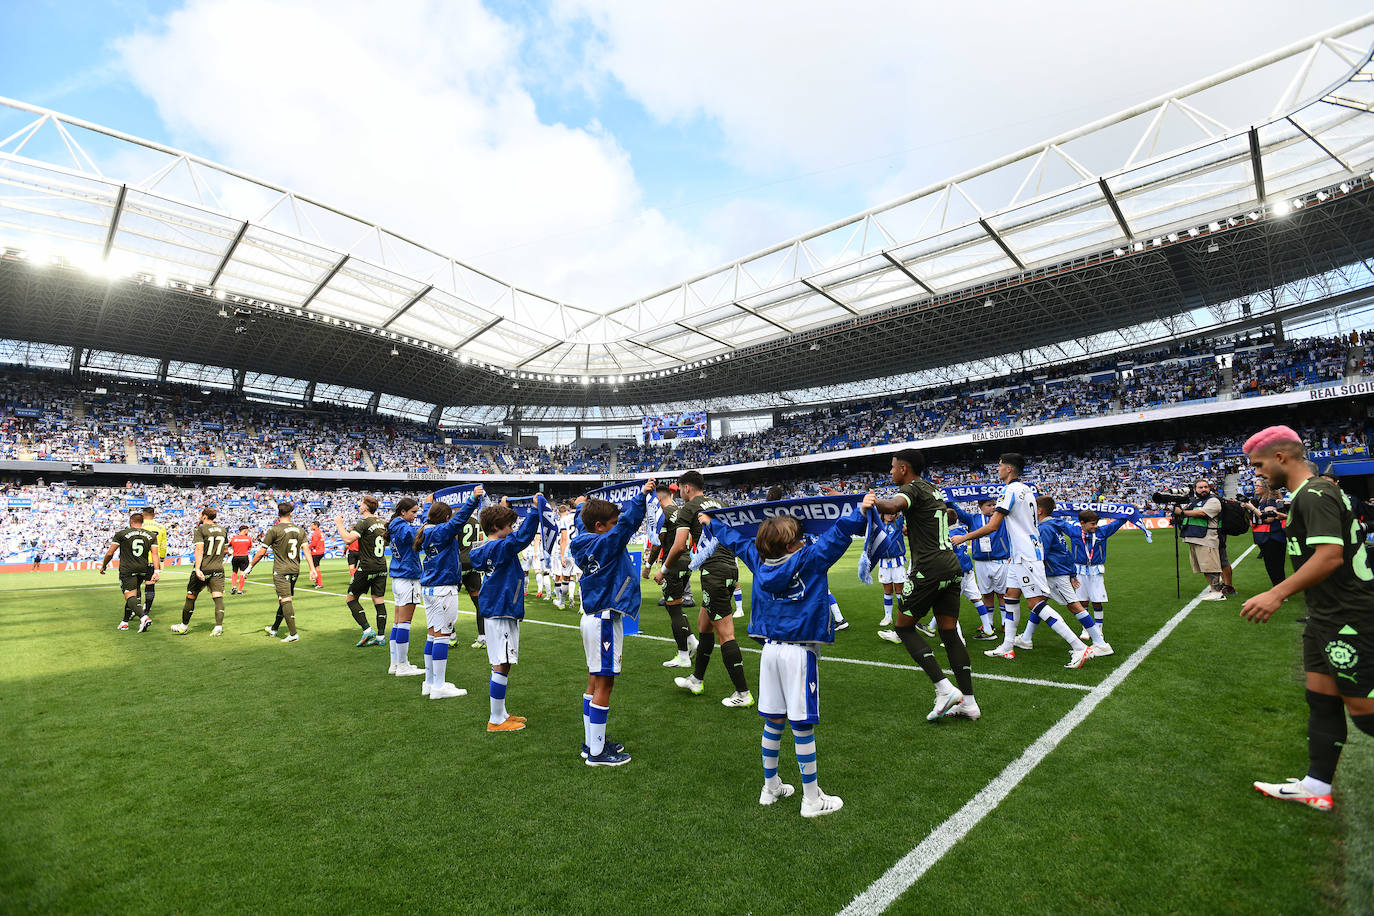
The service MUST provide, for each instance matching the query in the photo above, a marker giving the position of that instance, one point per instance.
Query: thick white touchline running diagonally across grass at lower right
(909, 870)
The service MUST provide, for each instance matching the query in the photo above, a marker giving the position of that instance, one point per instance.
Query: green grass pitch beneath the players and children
(166, 774)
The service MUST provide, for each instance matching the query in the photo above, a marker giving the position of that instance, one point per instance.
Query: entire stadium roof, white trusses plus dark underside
(142, 249)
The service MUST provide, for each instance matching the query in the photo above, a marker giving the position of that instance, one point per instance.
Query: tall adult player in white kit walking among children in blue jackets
(1026, 568)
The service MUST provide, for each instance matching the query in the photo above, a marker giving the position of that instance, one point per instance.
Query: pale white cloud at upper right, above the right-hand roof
(884, 98)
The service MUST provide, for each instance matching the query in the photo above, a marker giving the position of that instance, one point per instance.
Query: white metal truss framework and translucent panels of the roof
(117, 204)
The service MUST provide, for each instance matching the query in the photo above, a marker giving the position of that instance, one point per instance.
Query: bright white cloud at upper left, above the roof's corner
(416, 119)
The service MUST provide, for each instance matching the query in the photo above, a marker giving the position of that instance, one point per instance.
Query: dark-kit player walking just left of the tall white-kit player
(932, 587)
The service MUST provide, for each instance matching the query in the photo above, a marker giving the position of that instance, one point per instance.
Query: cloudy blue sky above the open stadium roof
(600, 150)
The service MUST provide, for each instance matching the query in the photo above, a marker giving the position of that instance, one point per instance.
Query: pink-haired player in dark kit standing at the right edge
(1332, 569)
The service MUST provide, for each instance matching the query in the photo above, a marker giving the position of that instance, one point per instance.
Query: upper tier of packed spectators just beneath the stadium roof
(46, 417)
